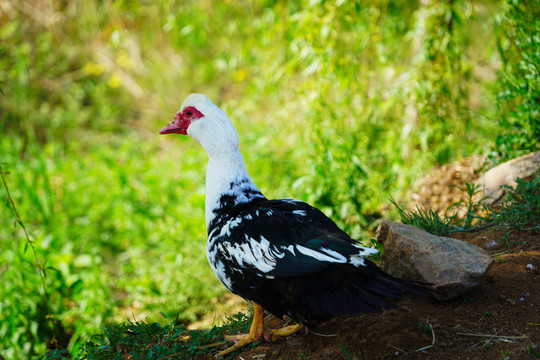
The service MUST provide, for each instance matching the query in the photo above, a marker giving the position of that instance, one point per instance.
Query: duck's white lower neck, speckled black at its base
(227, 184)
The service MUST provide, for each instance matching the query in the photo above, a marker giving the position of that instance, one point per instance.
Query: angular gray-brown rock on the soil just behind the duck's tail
(451, 267)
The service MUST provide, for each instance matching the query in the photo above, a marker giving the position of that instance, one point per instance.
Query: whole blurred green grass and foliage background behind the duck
(339, 103)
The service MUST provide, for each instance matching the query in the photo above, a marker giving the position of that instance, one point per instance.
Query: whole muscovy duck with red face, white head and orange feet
(283, 255)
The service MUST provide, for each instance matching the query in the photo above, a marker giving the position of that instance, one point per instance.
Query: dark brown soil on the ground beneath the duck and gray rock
(500, 319)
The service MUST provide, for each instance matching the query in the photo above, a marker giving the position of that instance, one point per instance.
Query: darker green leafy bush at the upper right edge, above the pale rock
(518, 86)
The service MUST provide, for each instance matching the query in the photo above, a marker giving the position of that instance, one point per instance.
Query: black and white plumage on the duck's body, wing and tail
(292, 260)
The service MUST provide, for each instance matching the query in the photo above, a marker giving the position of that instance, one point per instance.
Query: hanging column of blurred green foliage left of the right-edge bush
(442, 91)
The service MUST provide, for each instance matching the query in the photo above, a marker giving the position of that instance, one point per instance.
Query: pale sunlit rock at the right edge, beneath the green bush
(506, 174)
